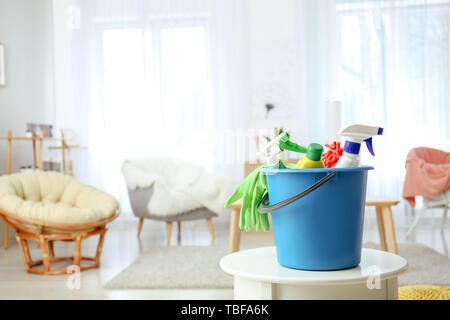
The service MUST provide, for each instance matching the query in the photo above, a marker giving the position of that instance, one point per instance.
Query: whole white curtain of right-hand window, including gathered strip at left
(388, 62)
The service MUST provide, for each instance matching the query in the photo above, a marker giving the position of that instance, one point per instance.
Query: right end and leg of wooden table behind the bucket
(385, 222)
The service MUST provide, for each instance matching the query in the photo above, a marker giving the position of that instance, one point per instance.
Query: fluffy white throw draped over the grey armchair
(177, 186)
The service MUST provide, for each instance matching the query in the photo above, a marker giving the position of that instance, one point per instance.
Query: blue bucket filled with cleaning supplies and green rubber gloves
(317, 213)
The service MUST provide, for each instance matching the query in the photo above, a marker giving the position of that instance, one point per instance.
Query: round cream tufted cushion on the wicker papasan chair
(51, 197)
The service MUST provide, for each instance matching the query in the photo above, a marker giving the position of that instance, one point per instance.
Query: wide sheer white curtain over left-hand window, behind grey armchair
(155, 78)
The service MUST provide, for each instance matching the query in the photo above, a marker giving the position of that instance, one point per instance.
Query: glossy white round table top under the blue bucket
(261, 264)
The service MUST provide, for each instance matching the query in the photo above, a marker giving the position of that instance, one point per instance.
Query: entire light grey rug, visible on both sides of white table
(197, 267)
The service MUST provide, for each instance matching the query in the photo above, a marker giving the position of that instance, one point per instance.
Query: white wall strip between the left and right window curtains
(272, 27)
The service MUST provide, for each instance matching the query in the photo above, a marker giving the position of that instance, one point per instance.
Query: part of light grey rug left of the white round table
(183, 267)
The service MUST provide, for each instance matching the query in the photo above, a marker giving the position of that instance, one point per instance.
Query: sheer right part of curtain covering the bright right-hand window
(395, 73)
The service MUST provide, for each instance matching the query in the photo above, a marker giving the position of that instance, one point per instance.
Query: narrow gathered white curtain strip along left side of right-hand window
(317, 66)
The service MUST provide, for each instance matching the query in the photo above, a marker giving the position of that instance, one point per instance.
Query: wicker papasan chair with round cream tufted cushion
(48, 207)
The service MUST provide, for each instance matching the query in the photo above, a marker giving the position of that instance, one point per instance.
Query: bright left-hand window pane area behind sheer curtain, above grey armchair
(157, 90)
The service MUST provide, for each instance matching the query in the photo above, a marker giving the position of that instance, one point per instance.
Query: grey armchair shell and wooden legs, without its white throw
(140, 197)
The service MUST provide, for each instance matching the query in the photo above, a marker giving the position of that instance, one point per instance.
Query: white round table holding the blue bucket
(258, 275)
